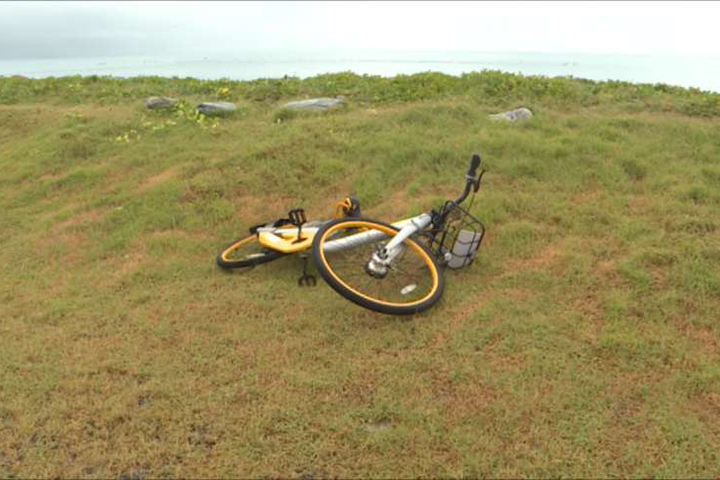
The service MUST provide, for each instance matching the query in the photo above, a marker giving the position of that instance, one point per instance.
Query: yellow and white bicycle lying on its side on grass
(394, 268)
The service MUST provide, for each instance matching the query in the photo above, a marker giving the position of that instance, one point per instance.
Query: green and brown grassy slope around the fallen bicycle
(584, 341)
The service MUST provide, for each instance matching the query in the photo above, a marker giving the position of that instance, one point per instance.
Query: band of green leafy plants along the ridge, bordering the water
(489, 86)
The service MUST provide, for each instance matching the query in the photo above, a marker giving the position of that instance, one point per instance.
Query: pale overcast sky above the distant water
(57, 29)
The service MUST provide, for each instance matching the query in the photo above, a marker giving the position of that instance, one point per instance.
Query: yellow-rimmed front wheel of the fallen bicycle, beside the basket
(410, 284)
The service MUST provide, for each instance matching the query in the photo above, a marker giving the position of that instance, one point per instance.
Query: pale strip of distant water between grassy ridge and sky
(699, 72)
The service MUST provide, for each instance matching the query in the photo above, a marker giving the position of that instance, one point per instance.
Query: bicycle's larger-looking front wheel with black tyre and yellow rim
(338, 276)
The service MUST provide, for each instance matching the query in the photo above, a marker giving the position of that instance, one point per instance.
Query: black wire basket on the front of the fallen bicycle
(458, 242)
